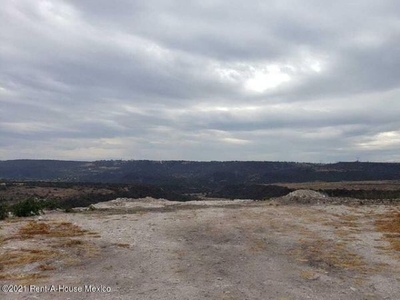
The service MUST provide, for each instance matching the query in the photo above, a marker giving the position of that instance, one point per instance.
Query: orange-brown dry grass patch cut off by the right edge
(389, 224)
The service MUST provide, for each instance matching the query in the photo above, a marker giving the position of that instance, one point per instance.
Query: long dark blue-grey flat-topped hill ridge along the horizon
(194, 174)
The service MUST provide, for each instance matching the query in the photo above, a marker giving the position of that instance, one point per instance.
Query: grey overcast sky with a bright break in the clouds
(288, 80)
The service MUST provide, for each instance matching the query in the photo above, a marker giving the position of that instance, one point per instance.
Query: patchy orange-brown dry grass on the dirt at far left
(54, 235)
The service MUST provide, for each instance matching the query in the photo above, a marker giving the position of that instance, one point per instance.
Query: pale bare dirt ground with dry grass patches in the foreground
(153, 249)
